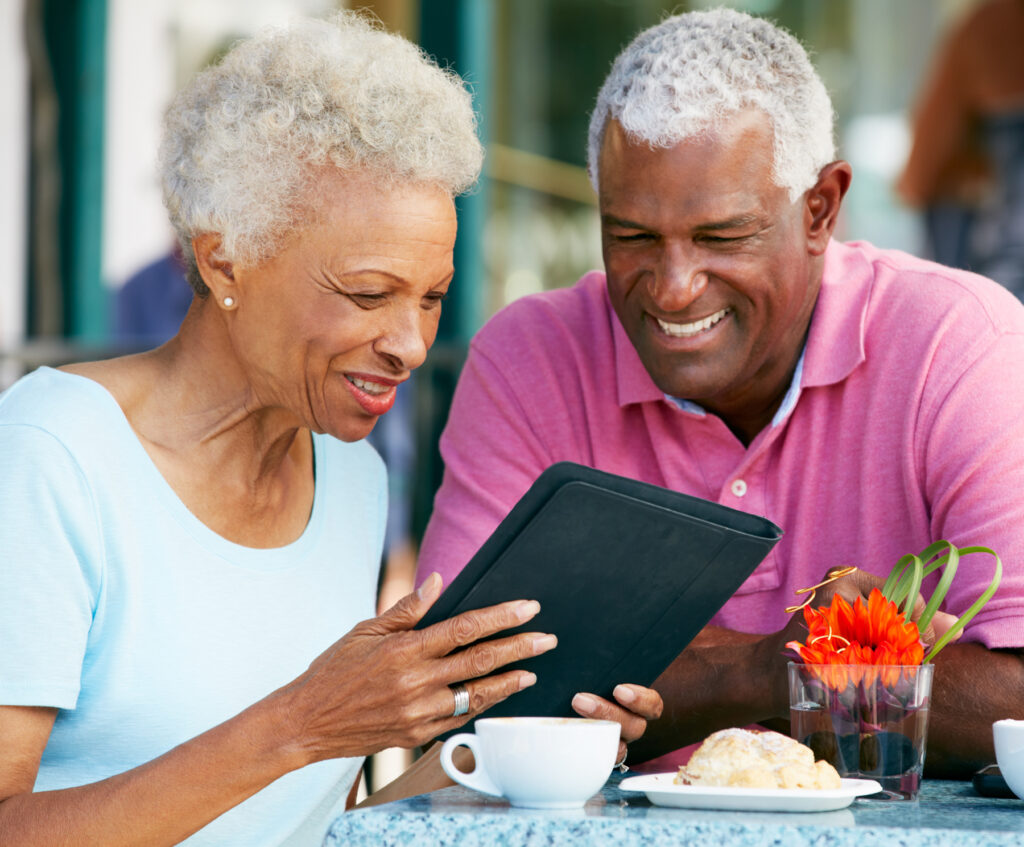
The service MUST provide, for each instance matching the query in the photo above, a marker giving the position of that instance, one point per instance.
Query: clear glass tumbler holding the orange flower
(870, 722)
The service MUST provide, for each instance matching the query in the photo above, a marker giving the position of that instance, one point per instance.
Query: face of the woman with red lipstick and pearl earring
(329, 327)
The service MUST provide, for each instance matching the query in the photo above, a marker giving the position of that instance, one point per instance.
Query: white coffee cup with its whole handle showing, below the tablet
(537, 764)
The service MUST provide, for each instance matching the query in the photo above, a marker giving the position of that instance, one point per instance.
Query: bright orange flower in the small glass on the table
(845, 639)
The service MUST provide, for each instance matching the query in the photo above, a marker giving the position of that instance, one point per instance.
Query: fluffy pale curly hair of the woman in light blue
(246, 141)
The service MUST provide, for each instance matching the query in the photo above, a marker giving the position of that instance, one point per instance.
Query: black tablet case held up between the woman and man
(627, 574)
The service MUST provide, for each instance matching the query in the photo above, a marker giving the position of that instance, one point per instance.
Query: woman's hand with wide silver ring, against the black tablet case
(386, 685)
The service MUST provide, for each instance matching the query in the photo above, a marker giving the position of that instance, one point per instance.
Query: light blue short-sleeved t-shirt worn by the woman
(143, 626)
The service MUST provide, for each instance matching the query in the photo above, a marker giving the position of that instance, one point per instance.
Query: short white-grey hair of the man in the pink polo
(695, 71)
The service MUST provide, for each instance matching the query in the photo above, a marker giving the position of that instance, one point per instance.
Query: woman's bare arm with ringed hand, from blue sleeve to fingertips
(383, 685)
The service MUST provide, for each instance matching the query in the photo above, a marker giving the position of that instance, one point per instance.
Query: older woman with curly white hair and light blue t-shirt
(187, 533)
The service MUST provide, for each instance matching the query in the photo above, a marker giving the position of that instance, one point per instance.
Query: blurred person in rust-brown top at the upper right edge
(966, 167)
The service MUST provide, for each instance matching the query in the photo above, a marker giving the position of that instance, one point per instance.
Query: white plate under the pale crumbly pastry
(663, 792)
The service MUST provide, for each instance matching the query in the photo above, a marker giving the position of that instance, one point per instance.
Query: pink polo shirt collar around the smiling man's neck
(835, 345)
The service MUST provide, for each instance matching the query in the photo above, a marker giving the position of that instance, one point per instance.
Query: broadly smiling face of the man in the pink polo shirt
(709, 266)
